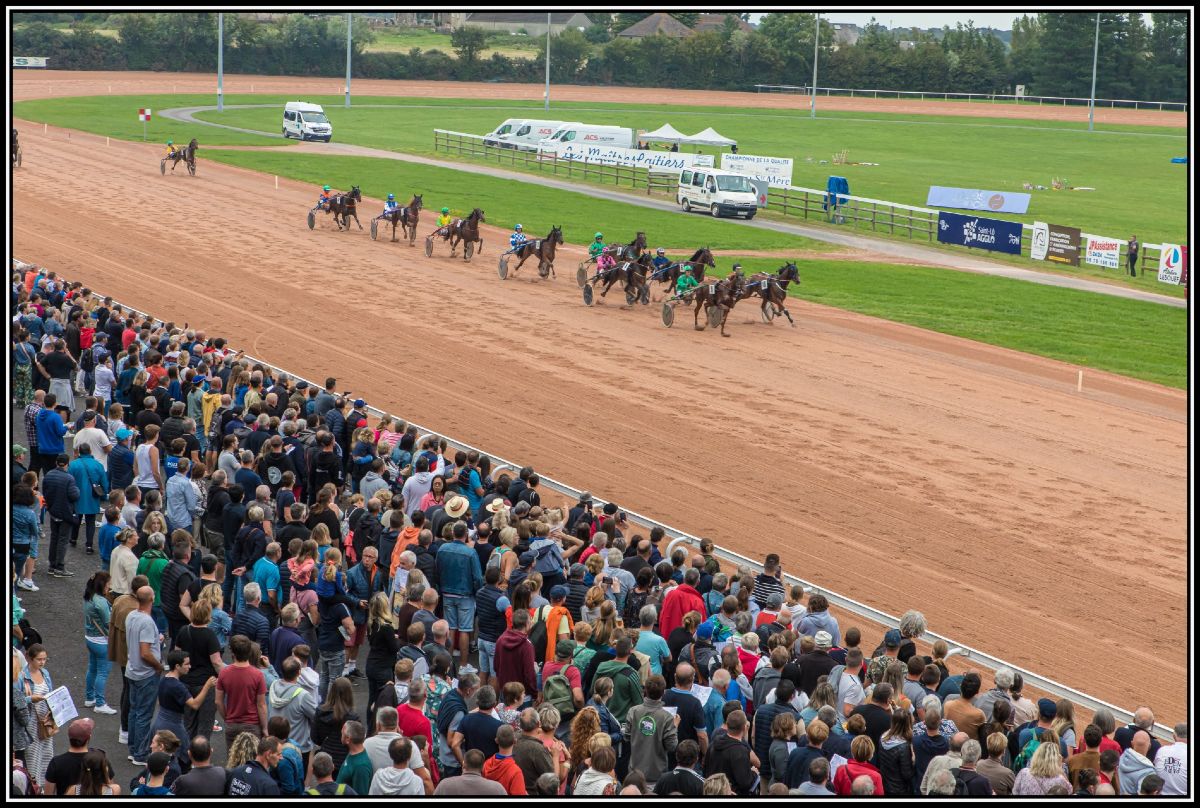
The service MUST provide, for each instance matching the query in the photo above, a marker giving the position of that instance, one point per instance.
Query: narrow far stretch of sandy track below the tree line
(38, 85)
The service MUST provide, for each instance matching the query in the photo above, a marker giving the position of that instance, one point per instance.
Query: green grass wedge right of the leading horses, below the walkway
(1131, 338)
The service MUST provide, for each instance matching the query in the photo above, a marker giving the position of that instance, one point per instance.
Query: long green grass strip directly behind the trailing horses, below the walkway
(537, 208)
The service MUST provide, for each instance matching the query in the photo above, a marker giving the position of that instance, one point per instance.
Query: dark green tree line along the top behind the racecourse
(1051, 53)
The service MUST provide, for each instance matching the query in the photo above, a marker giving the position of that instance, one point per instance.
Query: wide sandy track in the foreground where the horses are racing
(898, 466)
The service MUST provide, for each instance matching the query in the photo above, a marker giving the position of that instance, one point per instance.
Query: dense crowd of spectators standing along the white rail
(255, 544)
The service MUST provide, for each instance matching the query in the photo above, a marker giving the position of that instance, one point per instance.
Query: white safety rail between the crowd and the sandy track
(679, 538)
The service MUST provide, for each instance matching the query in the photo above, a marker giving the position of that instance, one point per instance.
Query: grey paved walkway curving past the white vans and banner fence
(908, 252)
